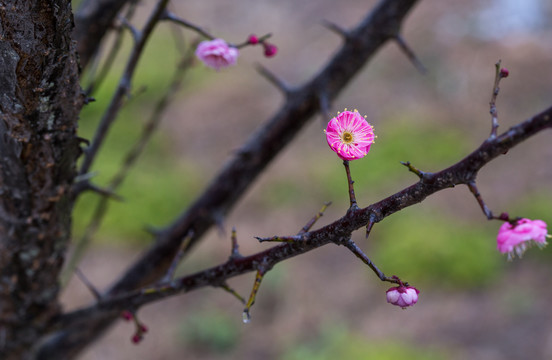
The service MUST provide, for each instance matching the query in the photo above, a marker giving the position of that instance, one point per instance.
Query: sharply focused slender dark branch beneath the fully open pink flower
(463, 172)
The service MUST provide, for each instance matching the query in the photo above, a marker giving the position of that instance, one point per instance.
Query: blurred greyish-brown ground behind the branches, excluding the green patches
(458, 42)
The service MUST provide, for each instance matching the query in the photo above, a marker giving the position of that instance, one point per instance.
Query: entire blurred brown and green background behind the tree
(327, 304)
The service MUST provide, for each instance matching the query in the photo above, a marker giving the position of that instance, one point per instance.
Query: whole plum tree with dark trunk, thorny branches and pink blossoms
(44, 47)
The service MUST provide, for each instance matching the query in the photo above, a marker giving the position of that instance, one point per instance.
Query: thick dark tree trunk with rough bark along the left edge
(40, 100)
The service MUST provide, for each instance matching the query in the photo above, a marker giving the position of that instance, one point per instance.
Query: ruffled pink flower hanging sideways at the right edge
(515, 239)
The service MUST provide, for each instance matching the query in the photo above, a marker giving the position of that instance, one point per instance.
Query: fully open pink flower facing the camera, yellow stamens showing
(349, 135)
